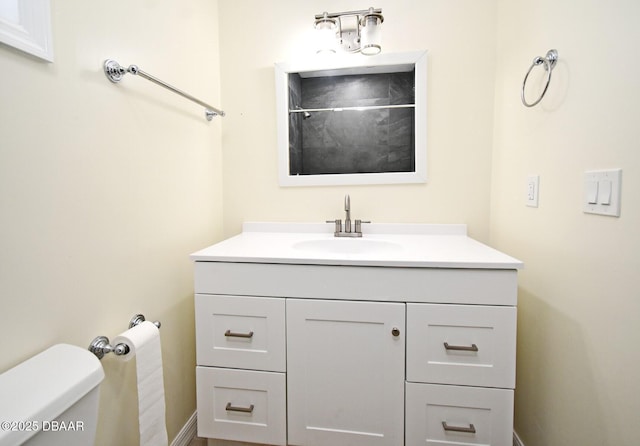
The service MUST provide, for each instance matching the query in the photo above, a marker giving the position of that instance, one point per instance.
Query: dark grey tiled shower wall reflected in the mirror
(365, 141)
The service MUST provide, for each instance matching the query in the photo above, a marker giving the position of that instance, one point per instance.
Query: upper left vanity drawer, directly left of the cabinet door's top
(240, 332)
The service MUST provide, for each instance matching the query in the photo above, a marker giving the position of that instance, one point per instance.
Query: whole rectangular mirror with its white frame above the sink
(352, 120)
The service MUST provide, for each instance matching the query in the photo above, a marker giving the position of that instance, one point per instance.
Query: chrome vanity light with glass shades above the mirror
(352, 31)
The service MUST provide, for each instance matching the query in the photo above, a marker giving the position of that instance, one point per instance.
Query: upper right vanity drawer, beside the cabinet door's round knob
(461, 344)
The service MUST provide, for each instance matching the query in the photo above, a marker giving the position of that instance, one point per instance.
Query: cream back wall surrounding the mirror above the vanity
(460, 38)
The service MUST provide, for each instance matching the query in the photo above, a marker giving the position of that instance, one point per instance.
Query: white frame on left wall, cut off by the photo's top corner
(28, 28)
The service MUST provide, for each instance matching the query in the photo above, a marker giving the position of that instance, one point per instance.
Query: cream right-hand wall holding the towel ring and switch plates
(579, 306)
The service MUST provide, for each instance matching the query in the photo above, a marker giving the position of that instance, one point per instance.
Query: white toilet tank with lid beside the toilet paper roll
(51, 399)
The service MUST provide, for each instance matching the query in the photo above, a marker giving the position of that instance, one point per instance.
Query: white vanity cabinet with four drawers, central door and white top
(337, 351)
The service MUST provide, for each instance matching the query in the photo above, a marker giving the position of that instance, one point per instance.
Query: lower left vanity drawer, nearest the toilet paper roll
(241, 405)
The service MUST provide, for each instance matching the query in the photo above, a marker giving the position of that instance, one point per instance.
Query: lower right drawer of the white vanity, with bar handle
(442, 415)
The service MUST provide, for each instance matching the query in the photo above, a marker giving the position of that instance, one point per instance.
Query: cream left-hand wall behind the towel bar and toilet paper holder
(106, 189)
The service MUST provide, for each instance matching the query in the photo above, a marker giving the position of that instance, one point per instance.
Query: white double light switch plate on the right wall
(602, 189)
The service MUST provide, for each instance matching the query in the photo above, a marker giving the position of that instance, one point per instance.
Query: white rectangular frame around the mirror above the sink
(353, 64)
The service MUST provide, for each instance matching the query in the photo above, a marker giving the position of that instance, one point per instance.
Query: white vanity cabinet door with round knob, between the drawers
(345, 373)
